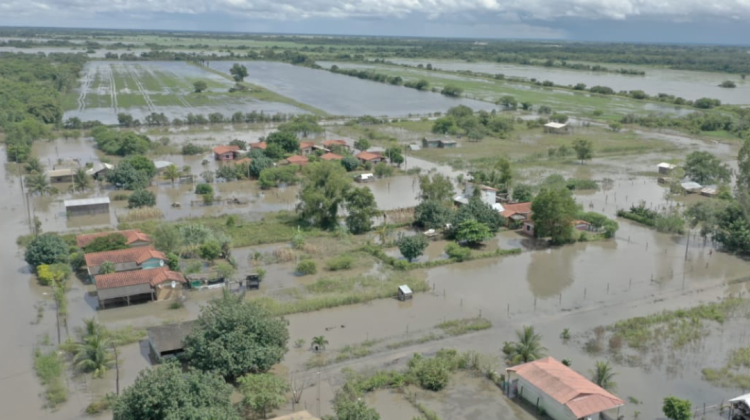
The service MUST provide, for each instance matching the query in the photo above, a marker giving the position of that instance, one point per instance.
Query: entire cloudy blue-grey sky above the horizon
(682, 21)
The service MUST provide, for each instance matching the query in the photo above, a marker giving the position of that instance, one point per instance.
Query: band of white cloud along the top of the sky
(435, 9)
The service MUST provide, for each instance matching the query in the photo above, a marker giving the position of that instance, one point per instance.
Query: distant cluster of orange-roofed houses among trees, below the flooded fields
(306, 149)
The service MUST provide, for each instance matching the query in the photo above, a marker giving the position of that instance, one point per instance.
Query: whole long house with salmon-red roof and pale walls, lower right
(563, 393)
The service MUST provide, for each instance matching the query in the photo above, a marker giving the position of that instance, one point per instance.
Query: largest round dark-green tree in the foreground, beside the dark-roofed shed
(233, 337)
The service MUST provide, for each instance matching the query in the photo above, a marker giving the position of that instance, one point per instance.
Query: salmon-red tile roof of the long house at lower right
(567, 387)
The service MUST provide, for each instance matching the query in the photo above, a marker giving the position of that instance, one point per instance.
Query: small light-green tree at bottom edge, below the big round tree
(262, 392)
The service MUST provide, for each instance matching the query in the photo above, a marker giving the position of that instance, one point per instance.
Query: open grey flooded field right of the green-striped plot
(343, 95)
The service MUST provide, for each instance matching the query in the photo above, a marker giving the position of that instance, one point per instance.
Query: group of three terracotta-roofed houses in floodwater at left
(136, 273)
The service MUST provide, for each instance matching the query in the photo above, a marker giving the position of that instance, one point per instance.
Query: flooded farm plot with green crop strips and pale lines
(140, 88)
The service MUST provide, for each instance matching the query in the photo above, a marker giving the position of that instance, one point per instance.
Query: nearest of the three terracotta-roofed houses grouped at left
(157, 284)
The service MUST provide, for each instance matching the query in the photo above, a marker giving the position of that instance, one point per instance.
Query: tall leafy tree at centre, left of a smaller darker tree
(324, 189)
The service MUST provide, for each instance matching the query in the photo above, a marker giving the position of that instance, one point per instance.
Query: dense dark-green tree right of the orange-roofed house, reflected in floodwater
(553, 212)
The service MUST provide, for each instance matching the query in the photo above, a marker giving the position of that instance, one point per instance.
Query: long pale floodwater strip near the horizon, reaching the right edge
(687, 84)
